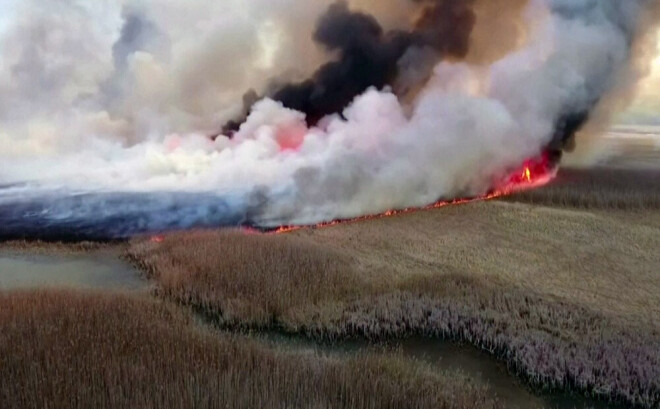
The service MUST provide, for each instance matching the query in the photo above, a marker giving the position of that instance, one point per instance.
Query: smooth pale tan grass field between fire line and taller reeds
(585, 257)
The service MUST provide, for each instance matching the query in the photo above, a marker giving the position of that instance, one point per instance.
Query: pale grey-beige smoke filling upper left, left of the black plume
(176, 67)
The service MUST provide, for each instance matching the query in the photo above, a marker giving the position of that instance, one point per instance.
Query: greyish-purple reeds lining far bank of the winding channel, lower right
(553, 345)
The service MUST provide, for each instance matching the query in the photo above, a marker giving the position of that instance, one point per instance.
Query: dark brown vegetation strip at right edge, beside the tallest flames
(605, 188)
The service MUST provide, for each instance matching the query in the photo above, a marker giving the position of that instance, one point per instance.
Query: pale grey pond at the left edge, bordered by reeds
(96, 270)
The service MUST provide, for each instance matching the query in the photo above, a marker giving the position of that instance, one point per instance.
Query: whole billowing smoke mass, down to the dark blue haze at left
(105, 121)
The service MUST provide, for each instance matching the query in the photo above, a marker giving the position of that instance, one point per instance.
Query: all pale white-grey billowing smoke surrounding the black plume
(87, 112)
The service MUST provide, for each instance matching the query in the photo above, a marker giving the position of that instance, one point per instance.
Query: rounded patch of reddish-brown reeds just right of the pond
(250, 279)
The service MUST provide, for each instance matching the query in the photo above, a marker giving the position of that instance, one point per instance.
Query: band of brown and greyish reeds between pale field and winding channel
(238, 279)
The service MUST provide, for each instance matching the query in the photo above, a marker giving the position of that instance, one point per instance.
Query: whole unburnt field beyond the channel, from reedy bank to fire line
(567, 291)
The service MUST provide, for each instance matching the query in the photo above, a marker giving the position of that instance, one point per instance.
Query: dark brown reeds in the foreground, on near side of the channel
(69, 350)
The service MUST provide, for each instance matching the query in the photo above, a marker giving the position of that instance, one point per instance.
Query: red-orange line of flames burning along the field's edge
(534, 173)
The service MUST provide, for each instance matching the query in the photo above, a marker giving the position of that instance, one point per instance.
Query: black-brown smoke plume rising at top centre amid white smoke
(368, 56)
